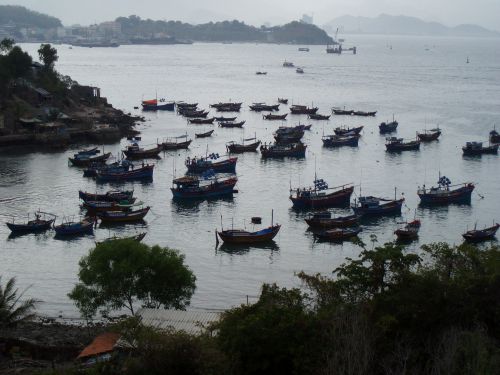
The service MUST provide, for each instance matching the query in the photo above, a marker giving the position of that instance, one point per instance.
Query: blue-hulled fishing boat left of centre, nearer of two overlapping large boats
(203, 187)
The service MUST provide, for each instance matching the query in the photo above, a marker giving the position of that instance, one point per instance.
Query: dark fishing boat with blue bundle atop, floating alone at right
(446, 193)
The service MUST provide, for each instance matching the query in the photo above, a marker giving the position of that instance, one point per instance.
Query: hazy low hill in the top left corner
(24, 17)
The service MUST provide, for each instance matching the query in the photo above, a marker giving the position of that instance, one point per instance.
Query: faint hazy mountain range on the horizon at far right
(403, 25)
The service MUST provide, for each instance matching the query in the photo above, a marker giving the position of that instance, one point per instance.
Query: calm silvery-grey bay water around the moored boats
(423, 82)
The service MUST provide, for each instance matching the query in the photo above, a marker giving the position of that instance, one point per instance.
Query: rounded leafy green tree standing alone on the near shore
(118, 274)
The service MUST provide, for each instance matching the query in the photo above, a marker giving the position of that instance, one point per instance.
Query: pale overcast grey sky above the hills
(450, 12)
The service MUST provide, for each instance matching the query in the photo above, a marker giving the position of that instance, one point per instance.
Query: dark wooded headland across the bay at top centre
(227, 31)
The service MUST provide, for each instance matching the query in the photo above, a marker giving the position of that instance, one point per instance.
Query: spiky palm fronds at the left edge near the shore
(12, 309)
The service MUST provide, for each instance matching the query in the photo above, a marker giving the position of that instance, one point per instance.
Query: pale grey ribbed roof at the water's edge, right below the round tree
(191, 321)
